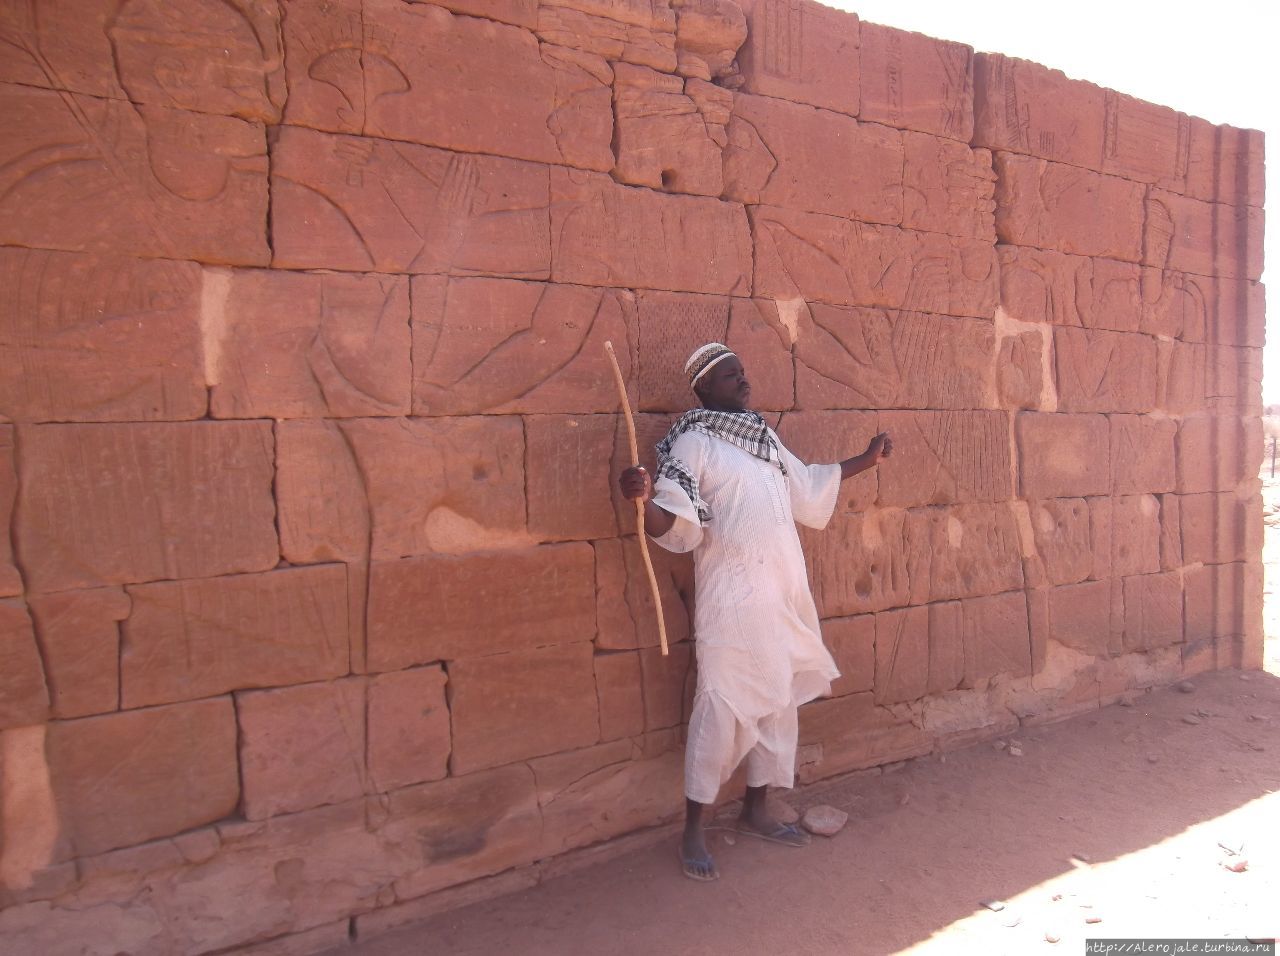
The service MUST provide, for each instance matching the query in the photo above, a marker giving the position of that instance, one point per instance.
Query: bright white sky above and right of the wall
(1212, 61)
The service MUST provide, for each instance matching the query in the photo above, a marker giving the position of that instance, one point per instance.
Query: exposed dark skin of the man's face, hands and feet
(726, 390)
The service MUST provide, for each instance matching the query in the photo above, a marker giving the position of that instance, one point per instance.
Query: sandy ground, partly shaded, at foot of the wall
(1117, 825)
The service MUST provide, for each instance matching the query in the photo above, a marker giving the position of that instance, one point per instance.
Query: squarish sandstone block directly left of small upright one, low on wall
(301, 747)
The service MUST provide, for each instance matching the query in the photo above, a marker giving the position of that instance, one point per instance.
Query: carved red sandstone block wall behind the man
(313, 596)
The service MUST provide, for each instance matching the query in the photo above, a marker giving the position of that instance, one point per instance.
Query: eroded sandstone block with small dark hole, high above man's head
(662, 140)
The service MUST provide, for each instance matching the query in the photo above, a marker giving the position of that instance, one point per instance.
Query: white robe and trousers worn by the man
(760, 649)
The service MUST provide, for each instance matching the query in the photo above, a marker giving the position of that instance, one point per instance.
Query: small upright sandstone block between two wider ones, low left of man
(409, 729)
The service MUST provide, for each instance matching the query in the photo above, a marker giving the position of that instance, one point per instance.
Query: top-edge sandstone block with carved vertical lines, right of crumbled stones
(803, 52)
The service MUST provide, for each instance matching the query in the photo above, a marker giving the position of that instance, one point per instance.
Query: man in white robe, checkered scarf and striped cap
(729, 492)
